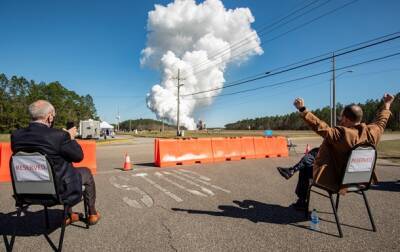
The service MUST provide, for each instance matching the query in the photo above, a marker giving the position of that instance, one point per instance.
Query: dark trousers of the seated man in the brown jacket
(305, 168)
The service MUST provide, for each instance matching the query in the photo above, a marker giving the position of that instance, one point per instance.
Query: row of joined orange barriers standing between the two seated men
(171, 152)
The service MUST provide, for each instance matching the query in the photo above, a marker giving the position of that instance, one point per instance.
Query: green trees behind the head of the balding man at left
(17, 93)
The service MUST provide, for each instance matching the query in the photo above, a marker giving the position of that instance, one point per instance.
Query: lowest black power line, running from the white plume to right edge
(302, 78)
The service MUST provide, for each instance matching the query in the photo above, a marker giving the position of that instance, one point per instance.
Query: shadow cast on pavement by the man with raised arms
(254, 211)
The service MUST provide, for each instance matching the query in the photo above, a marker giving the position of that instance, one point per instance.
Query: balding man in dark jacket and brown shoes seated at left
(61, 150)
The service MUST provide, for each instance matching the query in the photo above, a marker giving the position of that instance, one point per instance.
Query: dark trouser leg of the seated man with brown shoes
(90, 188)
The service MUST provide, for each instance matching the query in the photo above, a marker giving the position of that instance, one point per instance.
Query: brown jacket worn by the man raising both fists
(338, 141)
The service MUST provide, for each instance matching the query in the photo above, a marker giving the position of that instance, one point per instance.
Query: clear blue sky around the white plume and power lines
(93, 47)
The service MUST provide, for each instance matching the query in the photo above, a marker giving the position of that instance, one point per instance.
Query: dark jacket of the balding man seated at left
(60, 151)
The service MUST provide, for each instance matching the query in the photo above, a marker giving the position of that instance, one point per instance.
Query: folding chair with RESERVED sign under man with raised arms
(356, 178)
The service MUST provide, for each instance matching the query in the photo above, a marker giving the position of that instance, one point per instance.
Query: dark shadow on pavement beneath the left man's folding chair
(30, 224)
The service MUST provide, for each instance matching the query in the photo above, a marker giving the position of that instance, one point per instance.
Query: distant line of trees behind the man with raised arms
(293, 121)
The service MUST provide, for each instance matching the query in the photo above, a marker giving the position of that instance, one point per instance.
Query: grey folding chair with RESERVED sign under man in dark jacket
(34, 184)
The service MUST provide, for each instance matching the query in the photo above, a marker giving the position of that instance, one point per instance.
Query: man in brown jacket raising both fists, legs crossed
(325, 164)
